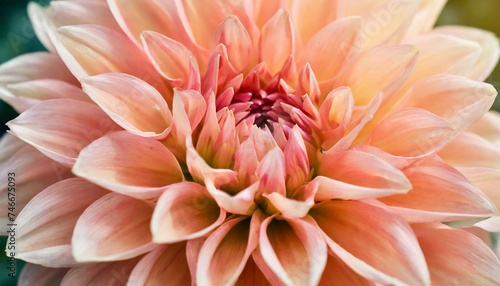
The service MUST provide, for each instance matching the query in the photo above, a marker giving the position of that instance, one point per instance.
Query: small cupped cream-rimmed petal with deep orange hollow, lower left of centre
(185, 211)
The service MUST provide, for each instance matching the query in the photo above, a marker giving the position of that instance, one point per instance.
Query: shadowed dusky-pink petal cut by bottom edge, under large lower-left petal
(112, 273)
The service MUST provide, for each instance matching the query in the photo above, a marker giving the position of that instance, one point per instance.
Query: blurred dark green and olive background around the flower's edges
(17, 37)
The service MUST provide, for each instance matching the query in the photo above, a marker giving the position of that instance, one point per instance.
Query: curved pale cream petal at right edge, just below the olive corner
(489, 43)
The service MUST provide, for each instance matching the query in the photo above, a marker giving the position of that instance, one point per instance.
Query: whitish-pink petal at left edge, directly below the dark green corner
(39, 65)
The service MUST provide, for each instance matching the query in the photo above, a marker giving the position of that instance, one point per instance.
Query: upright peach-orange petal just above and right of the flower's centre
(332, 47)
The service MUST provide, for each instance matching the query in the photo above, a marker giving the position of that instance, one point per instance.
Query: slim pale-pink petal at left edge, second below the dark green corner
(24, 95)
